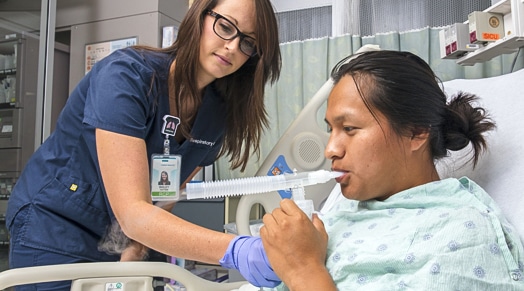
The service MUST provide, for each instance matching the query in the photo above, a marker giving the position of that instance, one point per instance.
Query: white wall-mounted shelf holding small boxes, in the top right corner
(513, 11)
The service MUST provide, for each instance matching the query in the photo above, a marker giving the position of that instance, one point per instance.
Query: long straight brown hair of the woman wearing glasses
(242, 90)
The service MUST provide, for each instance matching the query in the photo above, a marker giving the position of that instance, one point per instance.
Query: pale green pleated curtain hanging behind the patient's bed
(306, 66)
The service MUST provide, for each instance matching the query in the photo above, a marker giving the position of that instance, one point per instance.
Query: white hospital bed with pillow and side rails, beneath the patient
(500, 172)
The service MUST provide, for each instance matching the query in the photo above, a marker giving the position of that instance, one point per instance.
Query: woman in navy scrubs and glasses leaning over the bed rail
(94, 169)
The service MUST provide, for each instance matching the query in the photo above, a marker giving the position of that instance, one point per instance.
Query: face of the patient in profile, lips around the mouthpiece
(370, 154)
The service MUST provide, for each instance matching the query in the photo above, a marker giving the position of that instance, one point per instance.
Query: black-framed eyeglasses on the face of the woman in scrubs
(226, 30)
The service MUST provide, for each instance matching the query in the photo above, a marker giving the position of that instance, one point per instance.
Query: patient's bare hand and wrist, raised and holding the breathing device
(296, 247)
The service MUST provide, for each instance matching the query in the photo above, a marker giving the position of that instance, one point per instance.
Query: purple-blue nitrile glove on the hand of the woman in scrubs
(246, 254)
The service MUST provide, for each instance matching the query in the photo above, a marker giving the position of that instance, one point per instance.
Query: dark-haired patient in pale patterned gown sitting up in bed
(402, 226)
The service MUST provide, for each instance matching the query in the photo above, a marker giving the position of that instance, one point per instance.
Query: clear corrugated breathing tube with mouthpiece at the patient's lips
(261, 184)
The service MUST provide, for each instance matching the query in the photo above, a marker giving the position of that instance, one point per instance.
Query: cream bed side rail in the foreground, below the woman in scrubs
(112, 276)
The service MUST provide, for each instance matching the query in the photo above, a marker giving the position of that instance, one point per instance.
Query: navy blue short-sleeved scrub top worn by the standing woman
(117, 95)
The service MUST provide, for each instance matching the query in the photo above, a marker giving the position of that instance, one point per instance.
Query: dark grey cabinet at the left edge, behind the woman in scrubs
(18, 88)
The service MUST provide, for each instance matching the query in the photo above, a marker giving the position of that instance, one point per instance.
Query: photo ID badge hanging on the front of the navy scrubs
(165, 177)
